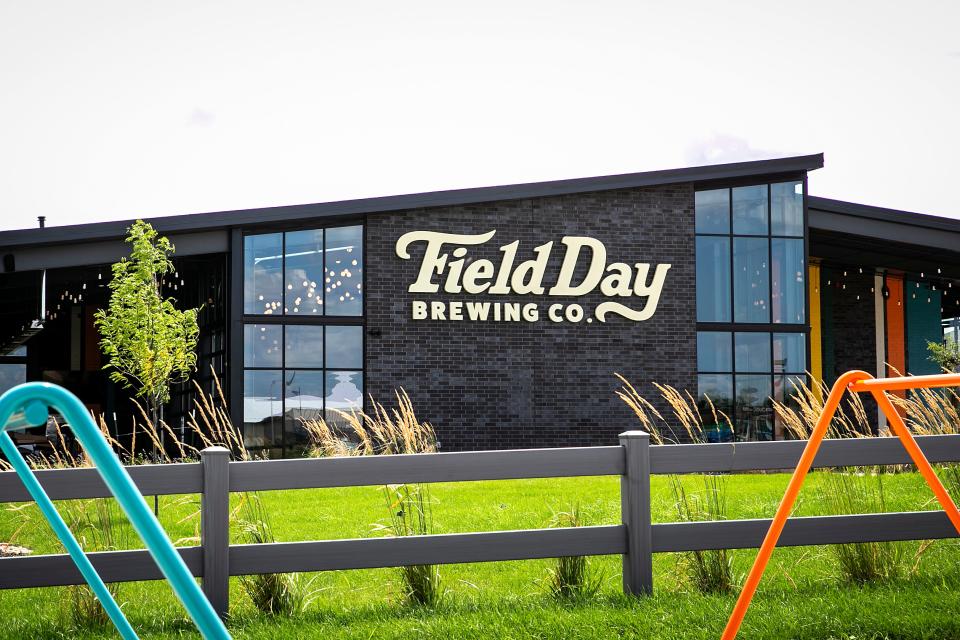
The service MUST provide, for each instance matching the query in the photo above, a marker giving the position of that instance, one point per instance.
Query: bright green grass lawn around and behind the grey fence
(802, 594)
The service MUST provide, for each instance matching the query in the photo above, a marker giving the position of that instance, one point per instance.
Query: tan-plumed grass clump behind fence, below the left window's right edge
(409, 506)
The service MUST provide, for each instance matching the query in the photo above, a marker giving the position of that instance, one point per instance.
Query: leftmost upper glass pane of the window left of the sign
(263, 274)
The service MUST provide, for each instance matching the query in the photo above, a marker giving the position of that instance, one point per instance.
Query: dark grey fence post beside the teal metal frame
(215, 527)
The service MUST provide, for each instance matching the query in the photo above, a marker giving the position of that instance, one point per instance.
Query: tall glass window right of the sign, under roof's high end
(751, 307)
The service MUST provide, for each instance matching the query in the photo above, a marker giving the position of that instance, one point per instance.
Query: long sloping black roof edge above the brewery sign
(222, 219)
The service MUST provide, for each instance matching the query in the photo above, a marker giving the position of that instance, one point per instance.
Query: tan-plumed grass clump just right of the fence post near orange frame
(709, 571)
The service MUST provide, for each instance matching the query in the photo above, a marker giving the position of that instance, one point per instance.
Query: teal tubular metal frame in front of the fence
(27, 405)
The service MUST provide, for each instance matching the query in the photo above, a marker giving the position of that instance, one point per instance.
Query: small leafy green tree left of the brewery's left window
(149, 344)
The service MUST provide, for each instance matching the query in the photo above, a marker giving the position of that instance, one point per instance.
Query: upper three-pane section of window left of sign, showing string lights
(313, 272)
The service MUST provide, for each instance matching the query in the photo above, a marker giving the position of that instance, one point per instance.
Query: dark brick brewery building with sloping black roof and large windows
(505, 312)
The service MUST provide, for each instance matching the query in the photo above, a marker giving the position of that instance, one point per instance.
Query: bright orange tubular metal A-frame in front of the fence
(855, 382)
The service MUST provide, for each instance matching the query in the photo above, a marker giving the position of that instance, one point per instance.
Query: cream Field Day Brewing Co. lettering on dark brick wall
(446, 266)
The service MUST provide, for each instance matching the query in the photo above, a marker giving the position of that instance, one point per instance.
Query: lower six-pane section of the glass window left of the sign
(318, 370)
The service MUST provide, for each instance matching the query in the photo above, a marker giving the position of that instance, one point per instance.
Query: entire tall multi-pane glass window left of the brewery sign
(308, 363)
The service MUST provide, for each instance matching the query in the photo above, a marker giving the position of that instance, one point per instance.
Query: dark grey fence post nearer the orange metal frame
(635, 513)
